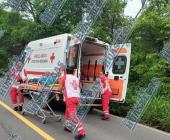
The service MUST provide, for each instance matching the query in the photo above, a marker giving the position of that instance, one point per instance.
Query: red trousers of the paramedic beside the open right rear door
(105, 102)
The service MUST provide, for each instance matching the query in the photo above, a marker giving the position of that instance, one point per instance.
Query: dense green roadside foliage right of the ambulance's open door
(151, 31)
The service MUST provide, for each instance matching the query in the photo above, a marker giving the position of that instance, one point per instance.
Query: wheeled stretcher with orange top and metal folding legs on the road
(39, 103)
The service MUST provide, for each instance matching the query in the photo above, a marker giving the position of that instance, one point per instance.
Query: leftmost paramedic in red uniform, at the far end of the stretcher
(16, 93)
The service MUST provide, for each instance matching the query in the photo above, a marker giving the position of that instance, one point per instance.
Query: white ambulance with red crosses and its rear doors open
(85, 58)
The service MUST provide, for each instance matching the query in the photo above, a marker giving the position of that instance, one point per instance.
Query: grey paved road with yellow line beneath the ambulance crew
(97, 129)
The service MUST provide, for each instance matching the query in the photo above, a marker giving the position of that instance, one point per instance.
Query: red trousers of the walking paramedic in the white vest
(71, 113)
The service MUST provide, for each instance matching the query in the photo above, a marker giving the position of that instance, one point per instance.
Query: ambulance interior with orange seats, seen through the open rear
(85, 58)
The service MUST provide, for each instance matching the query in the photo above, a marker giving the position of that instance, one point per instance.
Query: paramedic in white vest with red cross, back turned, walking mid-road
(71, 86)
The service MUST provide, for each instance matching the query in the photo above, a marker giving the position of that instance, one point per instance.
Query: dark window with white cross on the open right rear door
(119, 66)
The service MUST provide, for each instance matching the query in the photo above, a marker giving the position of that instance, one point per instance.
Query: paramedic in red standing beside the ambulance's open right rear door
(105, 96)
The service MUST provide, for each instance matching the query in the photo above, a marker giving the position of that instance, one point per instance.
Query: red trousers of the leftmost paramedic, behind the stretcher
(14, 93)
